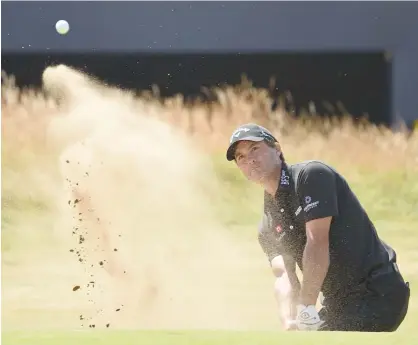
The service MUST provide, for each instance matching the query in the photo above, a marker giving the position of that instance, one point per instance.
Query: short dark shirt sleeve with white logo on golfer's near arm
(317, 190)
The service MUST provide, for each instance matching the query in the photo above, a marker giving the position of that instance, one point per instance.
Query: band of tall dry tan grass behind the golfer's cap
(357, 144)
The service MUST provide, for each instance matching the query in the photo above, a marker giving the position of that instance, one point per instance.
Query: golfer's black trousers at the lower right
(381, 308)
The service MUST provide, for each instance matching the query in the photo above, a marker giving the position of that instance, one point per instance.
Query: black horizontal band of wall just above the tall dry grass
(309, 77)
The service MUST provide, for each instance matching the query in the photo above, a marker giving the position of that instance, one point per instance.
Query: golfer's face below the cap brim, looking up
(256, 160)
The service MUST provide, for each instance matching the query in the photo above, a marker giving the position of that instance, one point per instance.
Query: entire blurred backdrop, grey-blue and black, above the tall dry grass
(361, 53)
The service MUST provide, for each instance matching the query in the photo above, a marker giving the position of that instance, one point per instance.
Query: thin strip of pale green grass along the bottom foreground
(203, 338)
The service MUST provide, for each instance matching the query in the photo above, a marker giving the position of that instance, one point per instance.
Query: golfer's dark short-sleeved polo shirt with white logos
(320, 191)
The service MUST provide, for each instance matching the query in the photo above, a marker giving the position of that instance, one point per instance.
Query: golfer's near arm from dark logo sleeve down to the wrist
(317, 189)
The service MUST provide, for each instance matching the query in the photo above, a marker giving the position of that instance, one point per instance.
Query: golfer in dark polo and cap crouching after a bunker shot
(313, 219)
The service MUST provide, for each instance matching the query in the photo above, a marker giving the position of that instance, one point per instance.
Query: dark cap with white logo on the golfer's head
(251, 132)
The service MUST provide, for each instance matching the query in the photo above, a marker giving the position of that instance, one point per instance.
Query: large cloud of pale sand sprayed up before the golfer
(149, 240)
